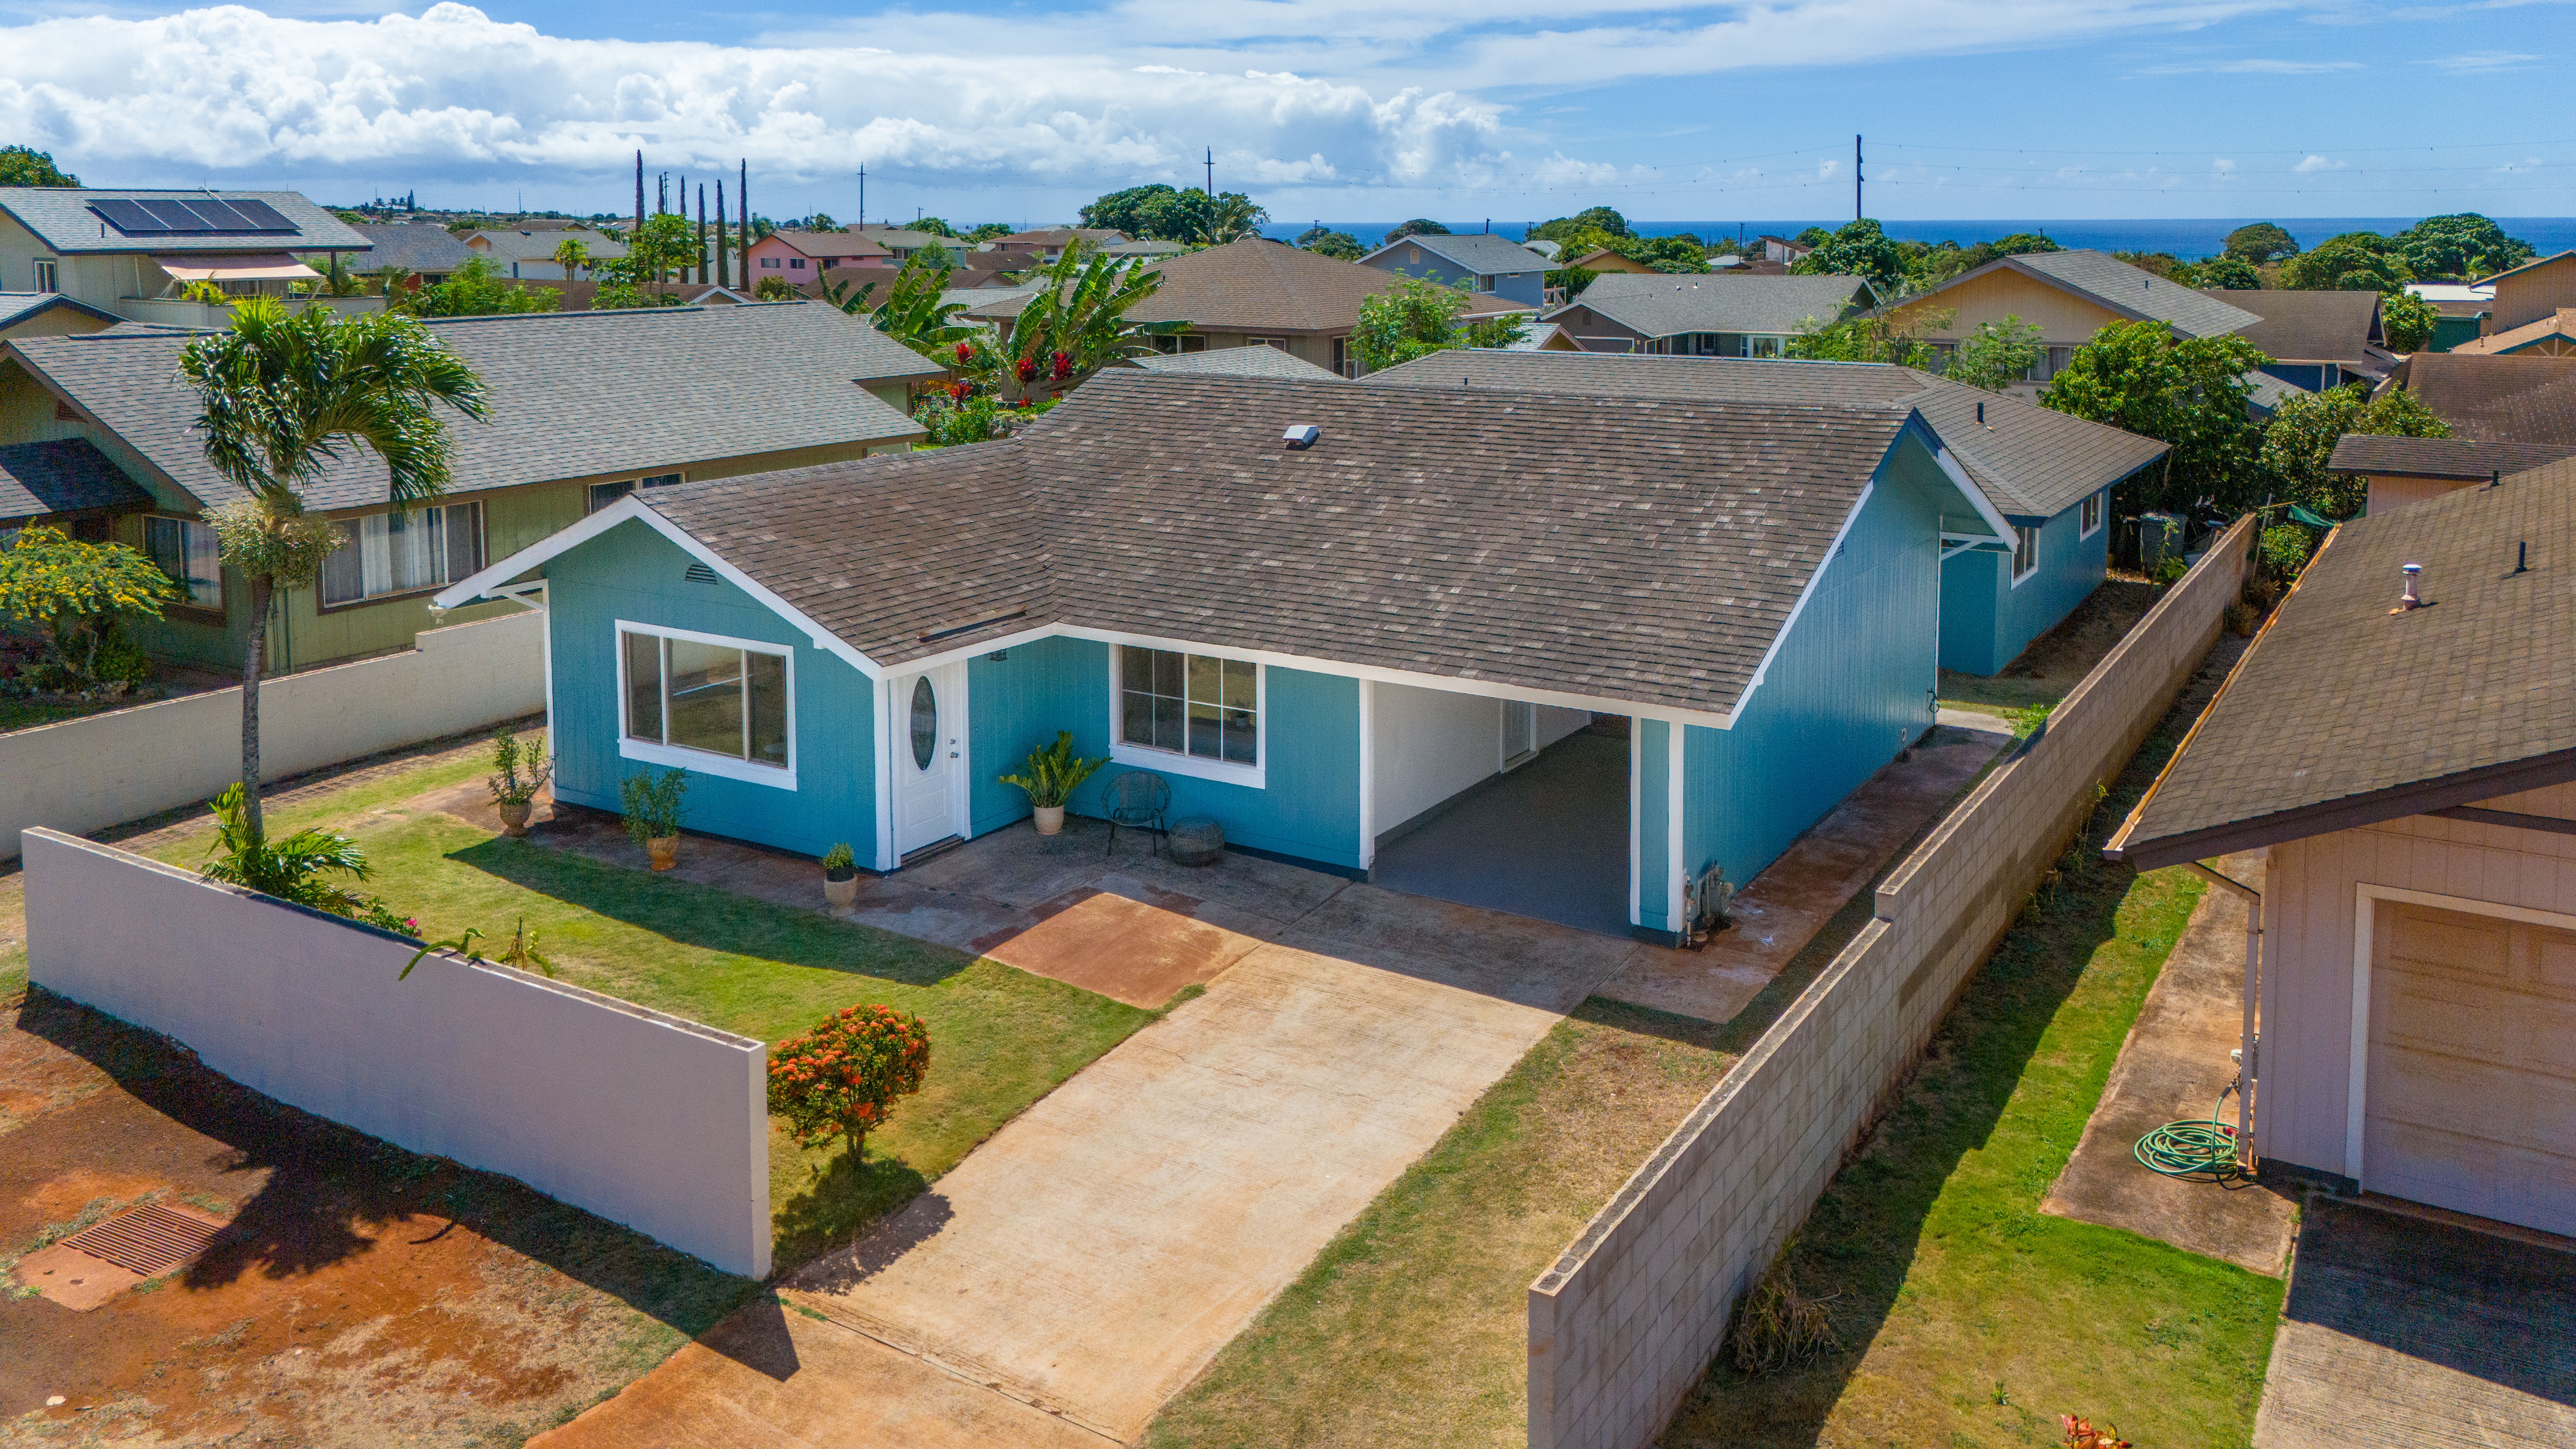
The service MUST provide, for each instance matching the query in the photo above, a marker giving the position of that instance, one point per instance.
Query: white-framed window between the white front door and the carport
(1191, 715)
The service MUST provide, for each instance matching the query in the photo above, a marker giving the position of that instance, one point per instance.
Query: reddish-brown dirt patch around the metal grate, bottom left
(357, 1296)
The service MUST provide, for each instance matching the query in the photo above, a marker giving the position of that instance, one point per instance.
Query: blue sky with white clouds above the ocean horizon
(1343, 110)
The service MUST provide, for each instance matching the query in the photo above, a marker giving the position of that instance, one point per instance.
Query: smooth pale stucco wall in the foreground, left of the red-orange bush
(640, 1118)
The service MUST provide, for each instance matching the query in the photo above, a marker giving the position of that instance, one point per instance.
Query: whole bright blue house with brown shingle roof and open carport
(1312, 646)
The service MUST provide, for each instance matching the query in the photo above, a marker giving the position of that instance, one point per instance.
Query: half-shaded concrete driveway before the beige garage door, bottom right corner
(2420, 1334)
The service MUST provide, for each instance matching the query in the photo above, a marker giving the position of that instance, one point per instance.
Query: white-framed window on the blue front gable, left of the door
(707, 703)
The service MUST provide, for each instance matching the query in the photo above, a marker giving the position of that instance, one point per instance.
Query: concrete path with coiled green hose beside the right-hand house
(2173, 1069)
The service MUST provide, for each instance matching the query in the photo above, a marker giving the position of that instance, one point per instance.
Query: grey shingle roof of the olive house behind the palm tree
(573, 393)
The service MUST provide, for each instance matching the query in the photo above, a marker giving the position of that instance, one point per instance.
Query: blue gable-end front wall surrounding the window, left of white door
(635, 574)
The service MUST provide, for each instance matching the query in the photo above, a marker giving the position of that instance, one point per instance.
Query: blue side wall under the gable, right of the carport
(1848, 690)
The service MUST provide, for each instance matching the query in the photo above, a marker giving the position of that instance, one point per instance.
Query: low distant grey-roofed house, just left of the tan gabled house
(1704, 316)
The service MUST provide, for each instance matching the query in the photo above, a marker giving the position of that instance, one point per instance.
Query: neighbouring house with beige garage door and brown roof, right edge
(2407, 775)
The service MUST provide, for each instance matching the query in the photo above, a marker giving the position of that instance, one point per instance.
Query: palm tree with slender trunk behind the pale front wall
(282, 396)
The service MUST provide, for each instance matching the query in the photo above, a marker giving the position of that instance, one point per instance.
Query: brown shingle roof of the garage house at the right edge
(2348, 713)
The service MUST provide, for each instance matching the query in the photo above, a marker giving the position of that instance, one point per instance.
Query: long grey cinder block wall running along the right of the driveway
(1632, 1314)
